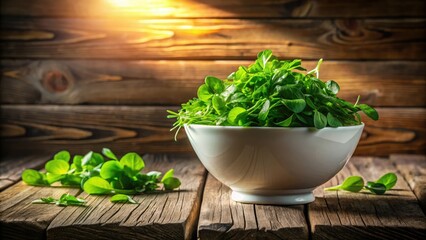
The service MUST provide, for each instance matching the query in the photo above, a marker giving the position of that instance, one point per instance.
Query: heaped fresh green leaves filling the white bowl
(271, 93)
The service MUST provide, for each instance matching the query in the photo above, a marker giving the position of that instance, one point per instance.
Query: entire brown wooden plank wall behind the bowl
(82, 75)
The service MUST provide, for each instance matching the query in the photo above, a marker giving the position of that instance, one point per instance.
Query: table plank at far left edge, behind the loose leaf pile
(11, 167)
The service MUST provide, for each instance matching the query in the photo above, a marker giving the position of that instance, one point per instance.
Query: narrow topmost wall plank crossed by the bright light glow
(212, 8)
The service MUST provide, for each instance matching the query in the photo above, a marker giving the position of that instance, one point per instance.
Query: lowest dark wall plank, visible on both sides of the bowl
(146, 129)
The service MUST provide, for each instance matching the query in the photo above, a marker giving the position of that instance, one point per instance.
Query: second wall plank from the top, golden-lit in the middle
(397, 39)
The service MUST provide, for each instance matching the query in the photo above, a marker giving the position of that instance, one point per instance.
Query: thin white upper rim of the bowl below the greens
(276, 128)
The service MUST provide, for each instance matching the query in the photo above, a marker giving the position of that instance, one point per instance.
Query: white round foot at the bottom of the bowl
(284, 199)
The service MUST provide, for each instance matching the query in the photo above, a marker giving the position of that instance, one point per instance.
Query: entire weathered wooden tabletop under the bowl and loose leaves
(202, 207)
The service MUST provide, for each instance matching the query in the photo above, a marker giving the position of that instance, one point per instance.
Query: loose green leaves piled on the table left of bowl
(99, 174)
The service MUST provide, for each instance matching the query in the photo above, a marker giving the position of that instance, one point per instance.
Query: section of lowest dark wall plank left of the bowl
(80, 129)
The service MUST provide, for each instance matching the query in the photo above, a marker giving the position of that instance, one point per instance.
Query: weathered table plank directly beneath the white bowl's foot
(222, 218)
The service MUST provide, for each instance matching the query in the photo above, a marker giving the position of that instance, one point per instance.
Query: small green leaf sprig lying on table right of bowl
(356, 184)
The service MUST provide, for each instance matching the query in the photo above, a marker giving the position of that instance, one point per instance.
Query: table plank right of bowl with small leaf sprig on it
(366, 216)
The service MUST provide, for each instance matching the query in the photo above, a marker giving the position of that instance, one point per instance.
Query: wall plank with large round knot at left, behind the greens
(380, 83)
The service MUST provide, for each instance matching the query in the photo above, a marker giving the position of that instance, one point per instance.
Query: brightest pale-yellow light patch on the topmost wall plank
(148, 7)
